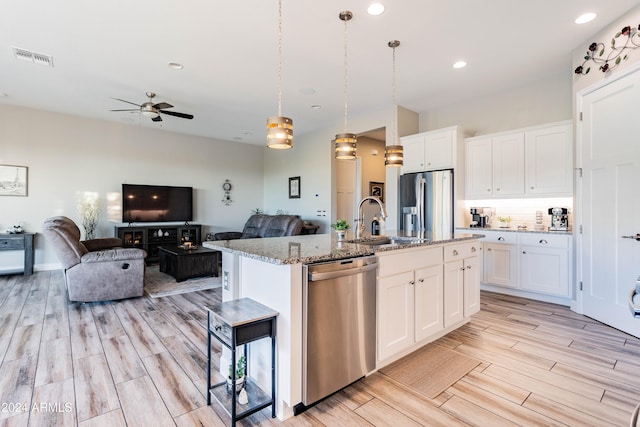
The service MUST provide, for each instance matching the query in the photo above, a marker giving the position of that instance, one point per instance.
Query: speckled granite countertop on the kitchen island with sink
(312, 248)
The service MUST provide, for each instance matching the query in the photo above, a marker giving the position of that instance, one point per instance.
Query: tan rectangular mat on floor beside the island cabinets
(430, 370)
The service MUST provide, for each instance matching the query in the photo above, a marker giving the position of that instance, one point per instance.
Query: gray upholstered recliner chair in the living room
(98, 269)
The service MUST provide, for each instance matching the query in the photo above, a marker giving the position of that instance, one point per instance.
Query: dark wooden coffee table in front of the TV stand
(185, 264)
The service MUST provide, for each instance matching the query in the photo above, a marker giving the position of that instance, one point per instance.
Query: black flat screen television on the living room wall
(156, 203)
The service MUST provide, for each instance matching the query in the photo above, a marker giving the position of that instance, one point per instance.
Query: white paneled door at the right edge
(609, 200)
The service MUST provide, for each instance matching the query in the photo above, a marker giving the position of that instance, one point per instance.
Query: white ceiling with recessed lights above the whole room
(229, 51)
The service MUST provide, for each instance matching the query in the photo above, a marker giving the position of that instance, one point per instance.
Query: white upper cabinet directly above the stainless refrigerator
(432, 150)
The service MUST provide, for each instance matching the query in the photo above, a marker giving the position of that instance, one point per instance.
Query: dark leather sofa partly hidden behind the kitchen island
(262, 225)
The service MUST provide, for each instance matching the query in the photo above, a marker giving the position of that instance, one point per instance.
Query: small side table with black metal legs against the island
(237, 323)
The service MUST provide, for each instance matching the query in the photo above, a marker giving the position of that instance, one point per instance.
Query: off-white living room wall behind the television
(67, 155)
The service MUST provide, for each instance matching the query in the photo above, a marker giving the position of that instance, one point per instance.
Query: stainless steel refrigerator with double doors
(426, 203)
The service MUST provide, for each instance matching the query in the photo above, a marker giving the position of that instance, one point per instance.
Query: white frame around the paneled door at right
(578, 212)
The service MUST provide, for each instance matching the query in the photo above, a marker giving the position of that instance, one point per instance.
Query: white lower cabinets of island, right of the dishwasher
(422, 291)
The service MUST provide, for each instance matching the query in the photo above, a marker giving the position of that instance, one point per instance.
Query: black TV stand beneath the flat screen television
(149, 238)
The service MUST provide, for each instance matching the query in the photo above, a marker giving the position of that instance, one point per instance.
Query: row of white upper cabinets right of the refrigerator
(531, 162)
